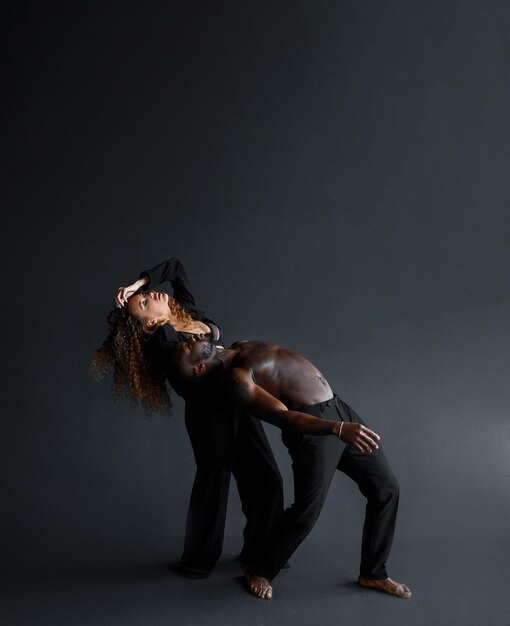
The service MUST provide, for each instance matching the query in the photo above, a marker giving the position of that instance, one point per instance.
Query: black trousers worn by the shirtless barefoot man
(314, 461)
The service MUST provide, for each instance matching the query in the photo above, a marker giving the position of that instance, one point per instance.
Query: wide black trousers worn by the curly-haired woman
(224, 443)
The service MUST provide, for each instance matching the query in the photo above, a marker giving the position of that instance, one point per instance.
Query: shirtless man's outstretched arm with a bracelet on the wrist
(266, 407)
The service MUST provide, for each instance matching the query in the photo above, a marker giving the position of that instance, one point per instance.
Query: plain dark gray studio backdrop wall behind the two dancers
(333, 176)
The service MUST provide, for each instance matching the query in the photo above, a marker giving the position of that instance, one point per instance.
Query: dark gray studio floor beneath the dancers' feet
(453, 584)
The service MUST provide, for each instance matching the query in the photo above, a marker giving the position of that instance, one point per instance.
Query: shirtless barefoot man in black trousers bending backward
(285, 389)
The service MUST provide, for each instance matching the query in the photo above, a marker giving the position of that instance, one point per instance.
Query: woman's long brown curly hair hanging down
(127, 354)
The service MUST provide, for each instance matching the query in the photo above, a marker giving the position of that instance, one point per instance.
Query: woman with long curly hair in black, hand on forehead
(143, 329)
